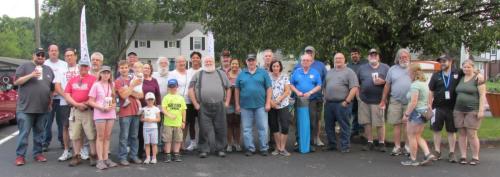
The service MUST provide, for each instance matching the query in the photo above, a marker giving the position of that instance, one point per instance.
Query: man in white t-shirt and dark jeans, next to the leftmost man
(58, 67)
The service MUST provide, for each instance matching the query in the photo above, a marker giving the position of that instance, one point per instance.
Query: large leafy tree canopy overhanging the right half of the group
(337, 25)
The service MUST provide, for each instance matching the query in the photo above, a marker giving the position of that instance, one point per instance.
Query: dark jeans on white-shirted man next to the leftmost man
(56, 112)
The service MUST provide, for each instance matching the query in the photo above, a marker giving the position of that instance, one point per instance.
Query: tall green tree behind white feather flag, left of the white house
(107, 23)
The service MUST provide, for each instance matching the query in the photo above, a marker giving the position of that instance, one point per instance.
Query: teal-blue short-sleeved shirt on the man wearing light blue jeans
(253, 88)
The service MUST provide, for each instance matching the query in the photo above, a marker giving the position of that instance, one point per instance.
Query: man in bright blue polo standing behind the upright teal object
(305, 83)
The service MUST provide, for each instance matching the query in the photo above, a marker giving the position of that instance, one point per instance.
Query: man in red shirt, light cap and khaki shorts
(81, 115)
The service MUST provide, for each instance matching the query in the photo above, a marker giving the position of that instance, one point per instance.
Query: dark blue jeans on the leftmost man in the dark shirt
(26, 122)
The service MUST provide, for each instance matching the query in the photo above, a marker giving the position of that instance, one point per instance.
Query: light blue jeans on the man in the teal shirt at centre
(247, 118)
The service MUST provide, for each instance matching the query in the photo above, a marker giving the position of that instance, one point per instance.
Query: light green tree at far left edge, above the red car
(16, 37)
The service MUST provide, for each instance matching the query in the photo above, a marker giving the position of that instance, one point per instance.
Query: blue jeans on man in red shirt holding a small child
(129, 132)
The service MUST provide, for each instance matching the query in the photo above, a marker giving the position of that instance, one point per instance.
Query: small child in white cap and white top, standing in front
(150, 117)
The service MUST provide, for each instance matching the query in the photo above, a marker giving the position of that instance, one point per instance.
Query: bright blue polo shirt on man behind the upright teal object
(305, 82)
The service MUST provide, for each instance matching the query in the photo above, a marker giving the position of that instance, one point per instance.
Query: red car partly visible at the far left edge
(8, 97)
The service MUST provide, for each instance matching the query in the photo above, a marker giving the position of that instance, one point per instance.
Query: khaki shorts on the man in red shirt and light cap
(81, 121)
